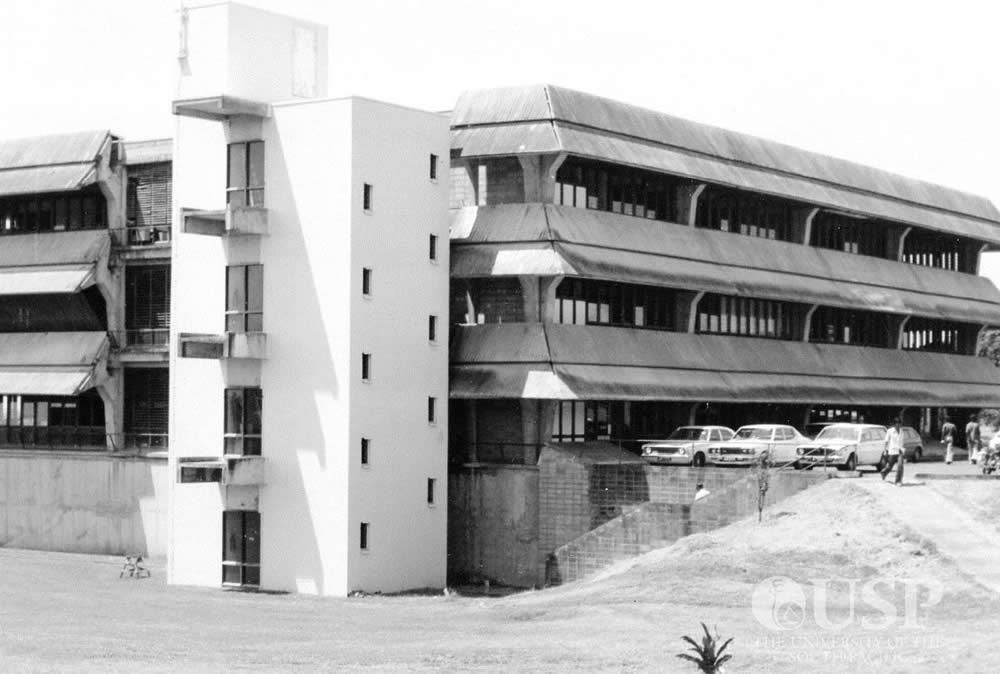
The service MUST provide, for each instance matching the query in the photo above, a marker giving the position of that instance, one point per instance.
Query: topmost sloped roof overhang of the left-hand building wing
(56, 163)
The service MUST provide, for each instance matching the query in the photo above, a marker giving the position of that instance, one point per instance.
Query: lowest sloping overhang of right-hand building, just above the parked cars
(603, 363)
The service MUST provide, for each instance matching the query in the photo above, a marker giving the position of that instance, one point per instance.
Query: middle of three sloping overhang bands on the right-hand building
(598, 244)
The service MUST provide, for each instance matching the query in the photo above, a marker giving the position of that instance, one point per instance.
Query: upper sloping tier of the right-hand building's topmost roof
(547, 102)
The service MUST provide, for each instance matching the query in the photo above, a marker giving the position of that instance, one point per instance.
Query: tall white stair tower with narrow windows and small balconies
(309, 320)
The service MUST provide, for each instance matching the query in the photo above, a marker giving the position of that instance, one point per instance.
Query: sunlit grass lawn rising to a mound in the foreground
(61, 612)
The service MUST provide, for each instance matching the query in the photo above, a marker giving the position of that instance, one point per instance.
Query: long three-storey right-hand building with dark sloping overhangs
(617, 272)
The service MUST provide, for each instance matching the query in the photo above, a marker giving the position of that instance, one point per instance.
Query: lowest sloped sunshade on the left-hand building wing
(52, 363)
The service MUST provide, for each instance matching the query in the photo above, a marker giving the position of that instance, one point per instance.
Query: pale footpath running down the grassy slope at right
(972, 545)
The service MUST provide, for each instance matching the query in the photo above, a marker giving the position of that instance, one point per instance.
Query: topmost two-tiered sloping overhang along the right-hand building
(547, 119)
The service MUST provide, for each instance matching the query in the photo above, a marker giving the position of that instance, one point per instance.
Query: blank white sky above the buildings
(912, 87)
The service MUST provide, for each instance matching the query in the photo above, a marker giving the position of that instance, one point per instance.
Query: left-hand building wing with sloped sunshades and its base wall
(84, 282)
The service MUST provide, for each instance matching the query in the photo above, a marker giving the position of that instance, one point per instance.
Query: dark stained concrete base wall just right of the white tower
(493, 525)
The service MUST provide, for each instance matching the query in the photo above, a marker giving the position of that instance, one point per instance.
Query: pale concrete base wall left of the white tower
(90, 503)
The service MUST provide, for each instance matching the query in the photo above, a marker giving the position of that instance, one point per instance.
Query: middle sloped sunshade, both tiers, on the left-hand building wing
(56, 262)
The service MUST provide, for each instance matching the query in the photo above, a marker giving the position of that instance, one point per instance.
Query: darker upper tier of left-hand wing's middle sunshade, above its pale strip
(54, 248)
